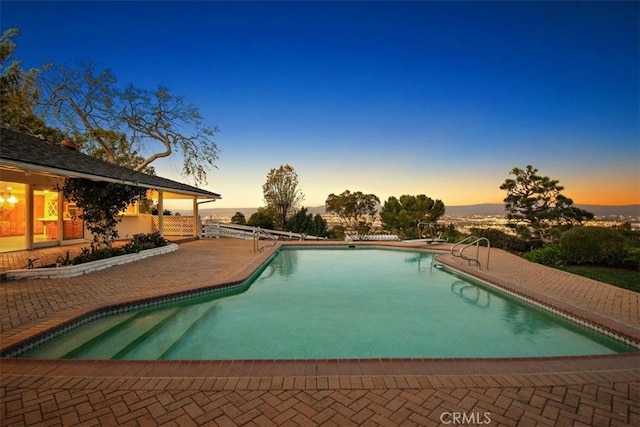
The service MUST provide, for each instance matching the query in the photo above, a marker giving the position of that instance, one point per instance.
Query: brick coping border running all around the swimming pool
(420, 366)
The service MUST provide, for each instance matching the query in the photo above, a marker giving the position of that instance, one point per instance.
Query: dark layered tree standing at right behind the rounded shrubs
(536, 205)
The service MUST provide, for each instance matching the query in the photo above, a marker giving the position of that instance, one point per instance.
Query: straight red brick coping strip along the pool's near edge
(320, 367)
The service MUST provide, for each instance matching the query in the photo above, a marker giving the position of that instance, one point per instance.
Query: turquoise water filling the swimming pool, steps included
(336, 303)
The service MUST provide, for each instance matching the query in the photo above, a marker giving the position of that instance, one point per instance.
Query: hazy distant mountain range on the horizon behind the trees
(483, 209)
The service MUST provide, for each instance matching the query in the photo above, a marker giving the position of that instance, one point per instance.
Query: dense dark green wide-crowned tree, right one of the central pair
(403, 215)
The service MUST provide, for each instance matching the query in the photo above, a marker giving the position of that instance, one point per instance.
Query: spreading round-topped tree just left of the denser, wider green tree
(353, 209)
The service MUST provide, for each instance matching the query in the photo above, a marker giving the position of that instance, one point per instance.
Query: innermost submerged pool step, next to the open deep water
(155, 346)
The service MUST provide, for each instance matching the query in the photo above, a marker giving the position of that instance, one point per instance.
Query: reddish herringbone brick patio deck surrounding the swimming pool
(585, 391)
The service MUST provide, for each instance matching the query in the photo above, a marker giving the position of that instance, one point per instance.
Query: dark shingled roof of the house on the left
(26, 152)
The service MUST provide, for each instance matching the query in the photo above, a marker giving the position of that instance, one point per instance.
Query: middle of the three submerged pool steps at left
(121, 337)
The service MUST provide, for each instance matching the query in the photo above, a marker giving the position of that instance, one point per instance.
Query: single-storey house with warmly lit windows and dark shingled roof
(34, 214)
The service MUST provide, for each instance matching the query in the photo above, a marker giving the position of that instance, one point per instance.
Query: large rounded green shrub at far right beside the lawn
(593, 245)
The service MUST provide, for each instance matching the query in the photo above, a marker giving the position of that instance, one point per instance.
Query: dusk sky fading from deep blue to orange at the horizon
(389, 98)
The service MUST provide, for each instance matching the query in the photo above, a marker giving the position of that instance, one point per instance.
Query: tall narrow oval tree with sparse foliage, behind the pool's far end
(281, 193)
